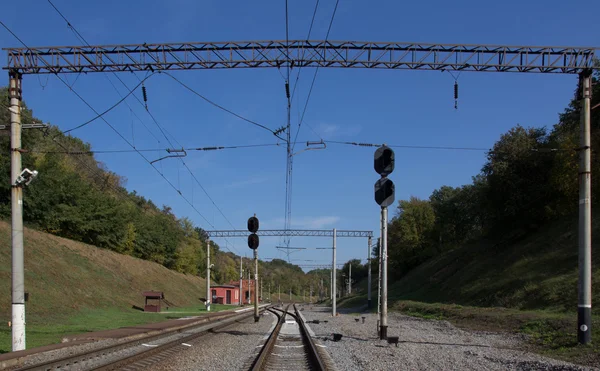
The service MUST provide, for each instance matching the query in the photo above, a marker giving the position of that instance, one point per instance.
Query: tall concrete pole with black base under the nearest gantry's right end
(584, 310)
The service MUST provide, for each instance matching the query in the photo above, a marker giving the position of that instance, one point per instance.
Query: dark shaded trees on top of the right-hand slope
(530, 179)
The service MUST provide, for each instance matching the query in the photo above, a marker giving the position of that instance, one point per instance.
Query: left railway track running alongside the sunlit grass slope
(138, 354)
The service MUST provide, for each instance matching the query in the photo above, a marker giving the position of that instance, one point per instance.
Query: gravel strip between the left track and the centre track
(229, 348)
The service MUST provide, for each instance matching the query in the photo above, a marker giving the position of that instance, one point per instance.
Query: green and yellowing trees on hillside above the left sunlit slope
(77, 197)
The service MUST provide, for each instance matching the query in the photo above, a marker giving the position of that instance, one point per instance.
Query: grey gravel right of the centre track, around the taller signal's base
(423, 345)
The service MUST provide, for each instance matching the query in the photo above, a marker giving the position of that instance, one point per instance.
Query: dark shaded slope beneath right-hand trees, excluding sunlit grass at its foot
(537, 272)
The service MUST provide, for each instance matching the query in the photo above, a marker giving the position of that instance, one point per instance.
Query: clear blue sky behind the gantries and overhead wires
(332, 187)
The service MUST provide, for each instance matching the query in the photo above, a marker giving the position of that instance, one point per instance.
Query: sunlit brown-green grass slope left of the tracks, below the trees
(75, 287)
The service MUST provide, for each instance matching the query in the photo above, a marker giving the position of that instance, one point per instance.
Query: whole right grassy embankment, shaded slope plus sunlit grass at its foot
(526, 286)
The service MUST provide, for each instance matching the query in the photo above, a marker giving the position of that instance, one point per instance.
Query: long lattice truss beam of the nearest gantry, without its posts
(299, 53)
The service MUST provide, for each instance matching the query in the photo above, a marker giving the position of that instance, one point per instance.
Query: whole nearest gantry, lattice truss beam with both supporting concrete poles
(302, 53)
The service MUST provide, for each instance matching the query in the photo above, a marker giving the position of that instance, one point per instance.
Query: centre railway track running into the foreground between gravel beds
(290, 346)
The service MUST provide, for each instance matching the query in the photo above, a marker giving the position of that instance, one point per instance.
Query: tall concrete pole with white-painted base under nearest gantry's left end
(16, 193)
